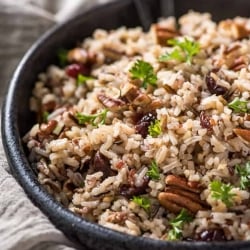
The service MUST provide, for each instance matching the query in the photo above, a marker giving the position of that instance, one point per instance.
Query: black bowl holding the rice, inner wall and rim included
(17, 119)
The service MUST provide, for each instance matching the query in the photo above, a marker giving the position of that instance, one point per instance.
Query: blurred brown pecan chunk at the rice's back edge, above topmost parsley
(164, 33)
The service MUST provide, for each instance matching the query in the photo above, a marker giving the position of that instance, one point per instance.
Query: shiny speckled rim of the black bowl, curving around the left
(22, 171)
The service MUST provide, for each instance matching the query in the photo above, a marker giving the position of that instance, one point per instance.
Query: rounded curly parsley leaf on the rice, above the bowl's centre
(143, 71)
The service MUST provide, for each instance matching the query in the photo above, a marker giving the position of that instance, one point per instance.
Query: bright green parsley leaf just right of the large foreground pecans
(223, 192)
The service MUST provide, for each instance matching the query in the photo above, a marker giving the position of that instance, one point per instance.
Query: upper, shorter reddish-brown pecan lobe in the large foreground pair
(182, 183)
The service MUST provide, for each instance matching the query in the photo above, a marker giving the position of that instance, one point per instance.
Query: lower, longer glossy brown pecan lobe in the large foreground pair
(180, 200)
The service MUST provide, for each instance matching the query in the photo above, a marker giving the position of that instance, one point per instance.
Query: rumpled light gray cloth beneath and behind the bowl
(22, 225)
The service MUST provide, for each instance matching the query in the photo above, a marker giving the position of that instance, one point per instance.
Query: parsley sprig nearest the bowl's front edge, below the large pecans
(177, 224)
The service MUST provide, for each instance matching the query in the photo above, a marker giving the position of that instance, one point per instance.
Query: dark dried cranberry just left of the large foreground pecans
(129, 190)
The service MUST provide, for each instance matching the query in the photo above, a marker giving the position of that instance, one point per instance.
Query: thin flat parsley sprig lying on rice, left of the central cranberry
(94, 119)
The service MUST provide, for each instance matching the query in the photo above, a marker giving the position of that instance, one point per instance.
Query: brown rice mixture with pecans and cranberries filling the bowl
(100, 168)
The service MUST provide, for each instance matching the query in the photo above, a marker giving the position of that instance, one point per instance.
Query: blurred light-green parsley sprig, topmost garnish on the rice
(183, 51)
